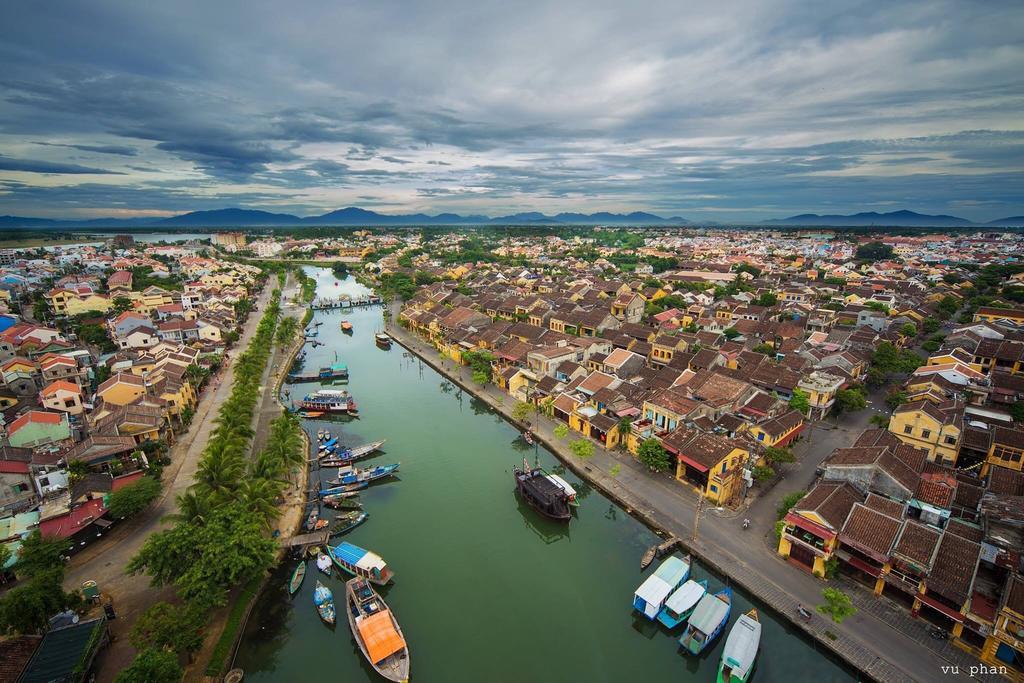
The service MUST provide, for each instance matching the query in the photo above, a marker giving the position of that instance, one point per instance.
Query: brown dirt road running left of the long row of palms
(105, 562)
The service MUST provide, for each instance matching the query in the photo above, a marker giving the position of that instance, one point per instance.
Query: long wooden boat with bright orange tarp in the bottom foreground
(377, 631)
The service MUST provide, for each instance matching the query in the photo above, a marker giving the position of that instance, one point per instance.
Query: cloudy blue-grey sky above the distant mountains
(734, 111)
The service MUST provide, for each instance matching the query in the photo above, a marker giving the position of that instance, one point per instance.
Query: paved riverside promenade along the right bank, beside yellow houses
(885, 645)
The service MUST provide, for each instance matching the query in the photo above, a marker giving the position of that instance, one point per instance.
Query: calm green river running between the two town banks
(486, 589)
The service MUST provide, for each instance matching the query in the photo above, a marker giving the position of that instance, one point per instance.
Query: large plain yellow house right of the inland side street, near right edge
(934, 428)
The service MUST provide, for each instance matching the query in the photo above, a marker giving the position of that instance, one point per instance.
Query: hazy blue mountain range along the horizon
(236, 218)
